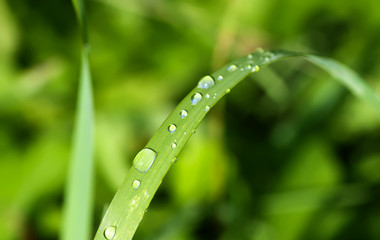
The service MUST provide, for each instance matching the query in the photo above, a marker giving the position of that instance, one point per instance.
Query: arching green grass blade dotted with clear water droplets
(152, 163)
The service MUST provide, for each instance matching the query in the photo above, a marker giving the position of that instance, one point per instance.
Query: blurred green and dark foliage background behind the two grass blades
(288, 154)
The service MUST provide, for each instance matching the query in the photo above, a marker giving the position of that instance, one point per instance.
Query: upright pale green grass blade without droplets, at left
(79, 185)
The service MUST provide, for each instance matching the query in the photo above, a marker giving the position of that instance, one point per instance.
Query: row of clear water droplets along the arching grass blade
(145, 158)
